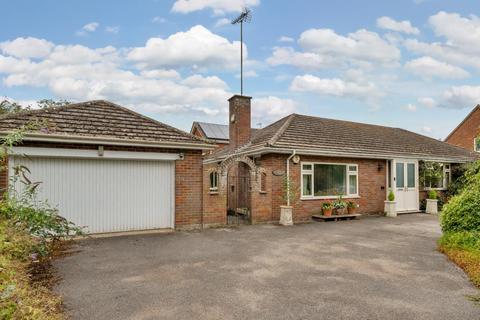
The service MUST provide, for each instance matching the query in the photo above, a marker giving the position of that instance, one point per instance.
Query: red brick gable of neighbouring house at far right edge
(466, 134)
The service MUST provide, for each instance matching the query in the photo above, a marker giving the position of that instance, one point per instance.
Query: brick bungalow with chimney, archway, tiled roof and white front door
(322, 159)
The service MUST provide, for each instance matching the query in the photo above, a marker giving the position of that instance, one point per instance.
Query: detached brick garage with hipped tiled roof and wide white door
(109, 168)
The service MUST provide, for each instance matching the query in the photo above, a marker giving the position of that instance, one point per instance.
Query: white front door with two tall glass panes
(405, 182)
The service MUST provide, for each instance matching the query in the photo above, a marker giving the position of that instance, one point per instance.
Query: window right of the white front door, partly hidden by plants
(434, 175)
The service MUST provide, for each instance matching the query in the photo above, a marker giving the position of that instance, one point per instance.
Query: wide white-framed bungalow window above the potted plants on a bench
(325, 180)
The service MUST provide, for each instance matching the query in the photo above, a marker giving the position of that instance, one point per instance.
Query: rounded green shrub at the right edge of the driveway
(462, 212)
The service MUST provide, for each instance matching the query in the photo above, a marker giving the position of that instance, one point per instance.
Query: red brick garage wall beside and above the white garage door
(188, 178)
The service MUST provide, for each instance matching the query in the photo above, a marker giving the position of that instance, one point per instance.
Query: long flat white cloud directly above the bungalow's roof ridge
(334, 87)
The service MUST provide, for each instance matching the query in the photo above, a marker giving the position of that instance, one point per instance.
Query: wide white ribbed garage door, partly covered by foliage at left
(107, 195)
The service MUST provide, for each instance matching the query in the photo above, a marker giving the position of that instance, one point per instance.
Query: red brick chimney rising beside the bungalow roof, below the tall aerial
(239, 120)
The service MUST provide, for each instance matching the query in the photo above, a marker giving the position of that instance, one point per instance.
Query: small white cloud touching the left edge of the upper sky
(27, 47)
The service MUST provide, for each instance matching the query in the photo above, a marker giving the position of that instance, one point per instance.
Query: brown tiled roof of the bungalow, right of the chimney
(351, 139)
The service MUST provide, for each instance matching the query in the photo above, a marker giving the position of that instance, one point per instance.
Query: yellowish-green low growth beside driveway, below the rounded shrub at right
(463, 248)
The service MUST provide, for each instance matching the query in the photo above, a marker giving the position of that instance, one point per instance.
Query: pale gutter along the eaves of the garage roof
(114, 141)
